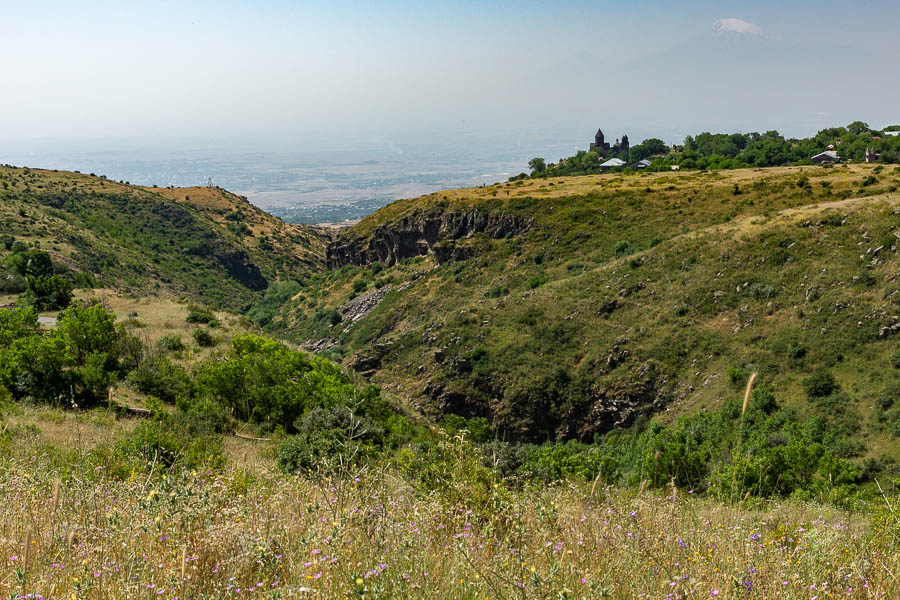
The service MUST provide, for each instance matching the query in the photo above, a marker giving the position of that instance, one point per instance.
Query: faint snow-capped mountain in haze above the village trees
(735, 68)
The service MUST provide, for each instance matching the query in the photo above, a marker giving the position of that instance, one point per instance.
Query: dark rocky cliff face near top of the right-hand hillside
(439, 233)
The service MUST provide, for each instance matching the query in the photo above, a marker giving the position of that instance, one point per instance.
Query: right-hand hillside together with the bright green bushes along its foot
(657, 302)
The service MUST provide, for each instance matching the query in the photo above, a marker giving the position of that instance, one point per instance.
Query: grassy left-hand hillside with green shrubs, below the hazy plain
(186, 241)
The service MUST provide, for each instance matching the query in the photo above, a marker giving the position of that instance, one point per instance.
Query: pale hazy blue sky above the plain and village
(282, 73)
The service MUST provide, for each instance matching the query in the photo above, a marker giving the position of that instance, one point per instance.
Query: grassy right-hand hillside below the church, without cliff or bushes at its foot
(710, 280)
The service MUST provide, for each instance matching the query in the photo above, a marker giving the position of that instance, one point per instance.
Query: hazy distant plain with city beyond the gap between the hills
(333, 183)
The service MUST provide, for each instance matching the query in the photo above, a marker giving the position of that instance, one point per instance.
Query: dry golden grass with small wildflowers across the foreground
(247, 532)
